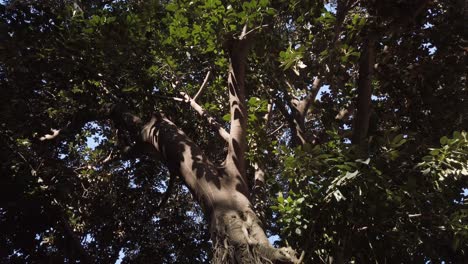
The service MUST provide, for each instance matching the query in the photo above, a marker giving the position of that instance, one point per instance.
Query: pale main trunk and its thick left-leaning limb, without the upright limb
(236, 231)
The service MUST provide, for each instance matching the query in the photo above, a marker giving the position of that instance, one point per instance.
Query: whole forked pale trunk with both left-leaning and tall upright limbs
(222, 191)
